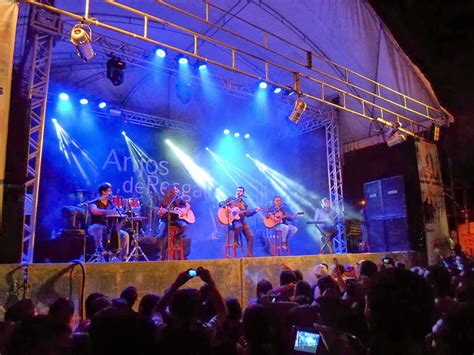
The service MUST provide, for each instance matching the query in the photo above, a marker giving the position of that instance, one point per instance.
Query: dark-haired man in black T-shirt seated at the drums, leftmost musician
(104, 213)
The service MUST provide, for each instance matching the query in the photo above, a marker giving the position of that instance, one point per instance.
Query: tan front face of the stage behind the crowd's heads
(234, 277)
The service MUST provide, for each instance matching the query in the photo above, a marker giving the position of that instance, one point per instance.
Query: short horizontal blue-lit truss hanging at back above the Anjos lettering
(142, 119)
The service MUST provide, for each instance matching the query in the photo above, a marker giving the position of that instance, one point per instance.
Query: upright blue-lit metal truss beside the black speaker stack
(334, 167)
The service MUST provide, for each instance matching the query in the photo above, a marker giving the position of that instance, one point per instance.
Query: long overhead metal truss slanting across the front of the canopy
(393, 108)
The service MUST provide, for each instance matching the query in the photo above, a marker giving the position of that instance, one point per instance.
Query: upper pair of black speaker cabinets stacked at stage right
(385, 198)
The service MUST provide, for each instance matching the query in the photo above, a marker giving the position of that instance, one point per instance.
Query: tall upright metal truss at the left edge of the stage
(44, 25)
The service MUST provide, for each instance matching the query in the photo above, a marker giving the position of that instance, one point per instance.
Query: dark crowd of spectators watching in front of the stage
(360, 309)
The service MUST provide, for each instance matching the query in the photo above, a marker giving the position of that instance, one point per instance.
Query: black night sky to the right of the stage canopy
(438, 36)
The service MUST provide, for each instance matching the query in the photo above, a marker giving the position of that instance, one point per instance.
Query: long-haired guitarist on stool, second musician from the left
(171, 200)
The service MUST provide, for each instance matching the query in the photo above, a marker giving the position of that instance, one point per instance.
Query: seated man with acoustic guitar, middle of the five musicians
(241, 225)
